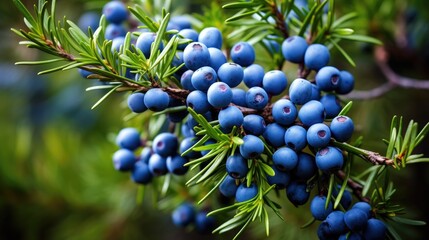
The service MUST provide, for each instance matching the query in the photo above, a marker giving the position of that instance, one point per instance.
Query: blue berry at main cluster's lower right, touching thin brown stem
(329, 159)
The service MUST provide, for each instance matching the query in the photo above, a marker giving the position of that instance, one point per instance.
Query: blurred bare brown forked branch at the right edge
(394, 80)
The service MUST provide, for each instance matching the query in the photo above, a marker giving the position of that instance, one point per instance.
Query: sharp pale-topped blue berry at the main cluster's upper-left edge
(196, 55)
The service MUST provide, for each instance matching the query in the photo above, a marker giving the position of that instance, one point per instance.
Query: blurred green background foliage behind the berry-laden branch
(56, 174)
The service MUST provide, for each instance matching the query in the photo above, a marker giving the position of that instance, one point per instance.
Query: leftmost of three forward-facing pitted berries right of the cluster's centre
(284, 112)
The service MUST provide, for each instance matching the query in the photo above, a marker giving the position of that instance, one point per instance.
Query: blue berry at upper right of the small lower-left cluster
(165, 144)
